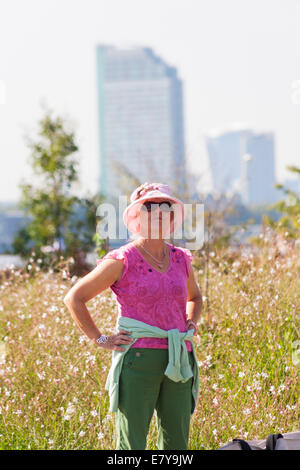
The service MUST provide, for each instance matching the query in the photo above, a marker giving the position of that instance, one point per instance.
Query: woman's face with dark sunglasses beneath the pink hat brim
(156, 223)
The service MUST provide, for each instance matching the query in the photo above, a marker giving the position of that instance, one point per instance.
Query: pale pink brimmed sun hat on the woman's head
(145, 192)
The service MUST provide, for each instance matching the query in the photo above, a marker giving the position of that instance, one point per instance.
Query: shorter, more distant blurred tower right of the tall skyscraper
(242, 161)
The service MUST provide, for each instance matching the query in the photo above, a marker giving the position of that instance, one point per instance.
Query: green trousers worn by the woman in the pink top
(143, 389)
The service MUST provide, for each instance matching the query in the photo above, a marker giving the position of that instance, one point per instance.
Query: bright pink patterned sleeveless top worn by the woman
(145, 294)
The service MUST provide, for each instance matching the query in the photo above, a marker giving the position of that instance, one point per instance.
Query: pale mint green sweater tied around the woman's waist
(178, 368)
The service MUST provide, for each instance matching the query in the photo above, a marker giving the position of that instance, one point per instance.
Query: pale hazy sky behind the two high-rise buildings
(238, 60)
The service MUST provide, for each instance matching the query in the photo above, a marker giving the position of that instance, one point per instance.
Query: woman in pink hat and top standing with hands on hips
(160, 300)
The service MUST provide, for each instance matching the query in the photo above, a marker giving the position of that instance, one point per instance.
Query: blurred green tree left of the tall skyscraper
(57, 221)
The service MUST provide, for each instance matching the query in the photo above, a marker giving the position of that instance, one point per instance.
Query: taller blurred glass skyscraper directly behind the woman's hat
(141, 129)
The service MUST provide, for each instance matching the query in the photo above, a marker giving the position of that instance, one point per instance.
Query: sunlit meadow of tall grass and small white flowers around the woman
(52, 378)
